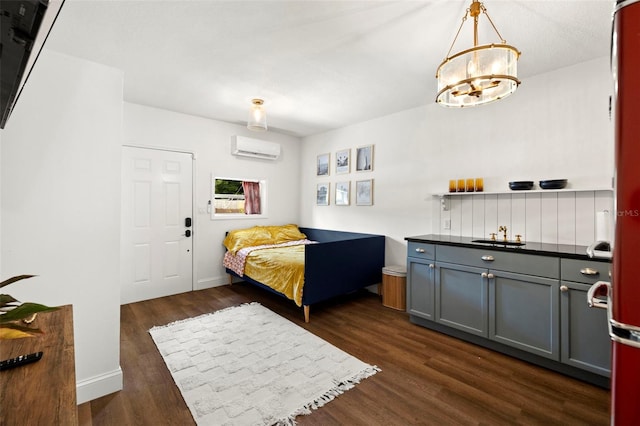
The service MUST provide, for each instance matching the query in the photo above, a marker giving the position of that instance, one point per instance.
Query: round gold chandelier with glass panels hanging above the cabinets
(480, 74)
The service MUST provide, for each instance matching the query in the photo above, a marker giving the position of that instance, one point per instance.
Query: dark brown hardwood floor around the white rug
(427, 378)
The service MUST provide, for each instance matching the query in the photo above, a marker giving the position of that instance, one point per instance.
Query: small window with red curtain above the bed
(239, 198)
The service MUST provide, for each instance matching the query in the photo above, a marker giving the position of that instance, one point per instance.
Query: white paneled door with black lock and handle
(156, 236)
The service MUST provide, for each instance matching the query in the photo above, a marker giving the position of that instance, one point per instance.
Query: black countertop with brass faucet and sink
(543, 249)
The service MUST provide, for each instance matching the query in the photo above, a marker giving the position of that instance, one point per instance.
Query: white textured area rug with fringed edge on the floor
(246, 365)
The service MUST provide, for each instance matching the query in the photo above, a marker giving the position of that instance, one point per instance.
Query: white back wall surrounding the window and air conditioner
(210, 141)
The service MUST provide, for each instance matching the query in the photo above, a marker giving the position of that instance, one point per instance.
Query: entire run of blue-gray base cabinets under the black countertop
(533, 303)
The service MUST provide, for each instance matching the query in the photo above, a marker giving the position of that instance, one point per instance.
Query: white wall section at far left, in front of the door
(61, 206)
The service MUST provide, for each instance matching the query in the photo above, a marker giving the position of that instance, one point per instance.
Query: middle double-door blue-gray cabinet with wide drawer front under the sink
(508, 297)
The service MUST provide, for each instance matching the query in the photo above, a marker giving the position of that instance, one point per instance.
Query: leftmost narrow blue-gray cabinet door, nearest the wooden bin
(420, 288)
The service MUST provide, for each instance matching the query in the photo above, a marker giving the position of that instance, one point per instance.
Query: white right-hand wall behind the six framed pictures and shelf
(555, 126)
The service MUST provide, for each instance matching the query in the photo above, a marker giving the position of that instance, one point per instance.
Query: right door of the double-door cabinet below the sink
(524, 312)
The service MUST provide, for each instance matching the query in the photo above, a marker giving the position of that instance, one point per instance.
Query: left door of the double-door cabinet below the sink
(461, 297)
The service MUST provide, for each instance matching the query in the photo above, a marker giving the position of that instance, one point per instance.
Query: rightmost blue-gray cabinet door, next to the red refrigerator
(585, 336)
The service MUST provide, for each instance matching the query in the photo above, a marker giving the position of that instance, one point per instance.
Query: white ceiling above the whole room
(319, 65)
